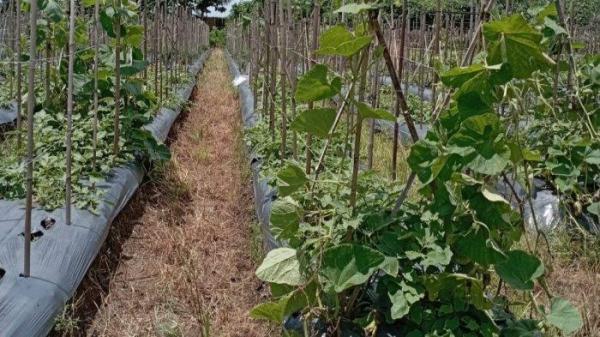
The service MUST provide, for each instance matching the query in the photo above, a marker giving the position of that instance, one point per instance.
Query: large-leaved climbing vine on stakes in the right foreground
(360, 257)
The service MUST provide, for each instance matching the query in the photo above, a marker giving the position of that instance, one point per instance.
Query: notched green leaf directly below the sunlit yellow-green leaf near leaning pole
(314, 85)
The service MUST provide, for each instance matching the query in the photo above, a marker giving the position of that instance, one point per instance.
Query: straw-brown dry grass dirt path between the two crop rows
(179, 261)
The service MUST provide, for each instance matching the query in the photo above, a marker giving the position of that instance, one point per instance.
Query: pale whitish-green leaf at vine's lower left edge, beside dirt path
(281, 266)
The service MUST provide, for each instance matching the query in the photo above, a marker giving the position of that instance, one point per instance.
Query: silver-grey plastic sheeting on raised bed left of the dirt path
(61, 254)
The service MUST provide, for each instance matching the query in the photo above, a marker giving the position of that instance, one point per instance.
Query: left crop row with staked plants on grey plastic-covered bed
(94, 87)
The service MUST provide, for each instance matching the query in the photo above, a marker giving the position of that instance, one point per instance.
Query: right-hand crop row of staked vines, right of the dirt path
(449, 242)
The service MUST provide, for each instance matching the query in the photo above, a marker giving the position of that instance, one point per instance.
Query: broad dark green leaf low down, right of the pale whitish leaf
(348, 265)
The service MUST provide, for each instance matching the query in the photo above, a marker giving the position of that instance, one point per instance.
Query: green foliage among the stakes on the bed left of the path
(138, 107)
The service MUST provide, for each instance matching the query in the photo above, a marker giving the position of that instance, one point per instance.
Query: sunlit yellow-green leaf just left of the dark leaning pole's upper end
(338, 41)
